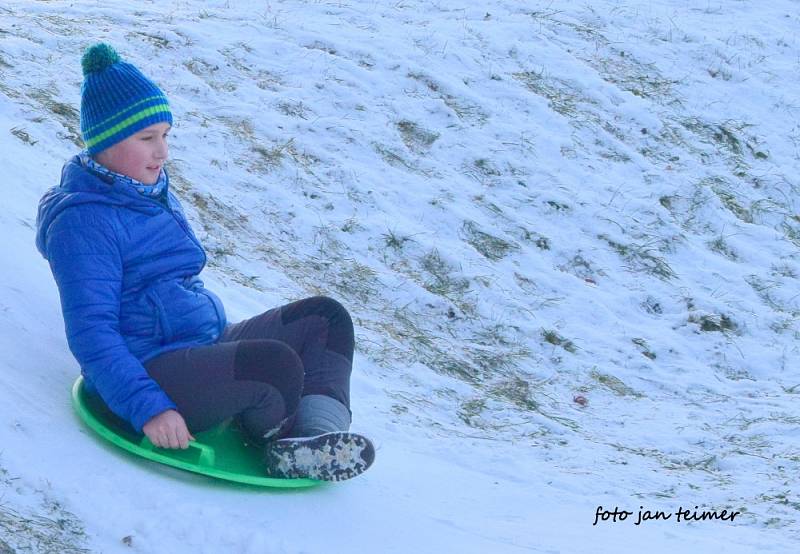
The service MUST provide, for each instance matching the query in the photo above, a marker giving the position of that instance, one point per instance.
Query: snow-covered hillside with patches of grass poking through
(568, 234)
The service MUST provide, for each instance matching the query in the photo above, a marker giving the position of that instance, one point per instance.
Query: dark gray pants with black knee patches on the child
(260, 367)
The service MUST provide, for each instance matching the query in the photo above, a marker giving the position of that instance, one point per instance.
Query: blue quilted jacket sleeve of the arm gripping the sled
(86, 262)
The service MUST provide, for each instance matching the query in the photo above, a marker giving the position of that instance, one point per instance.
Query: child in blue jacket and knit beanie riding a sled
(151, 340)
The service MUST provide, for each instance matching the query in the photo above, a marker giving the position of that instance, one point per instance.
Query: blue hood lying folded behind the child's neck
(81, 185)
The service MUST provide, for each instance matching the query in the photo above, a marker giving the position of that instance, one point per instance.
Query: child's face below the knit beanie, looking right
(140, 156)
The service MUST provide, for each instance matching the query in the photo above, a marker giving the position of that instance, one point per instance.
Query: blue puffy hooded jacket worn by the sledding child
(126, 267)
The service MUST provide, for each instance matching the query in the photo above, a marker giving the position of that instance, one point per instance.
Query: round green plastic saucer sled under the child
(220, 452)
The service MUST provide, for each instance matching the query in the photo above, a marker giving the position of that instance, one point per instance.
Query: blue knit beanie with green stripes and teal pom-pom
(117, 100)
